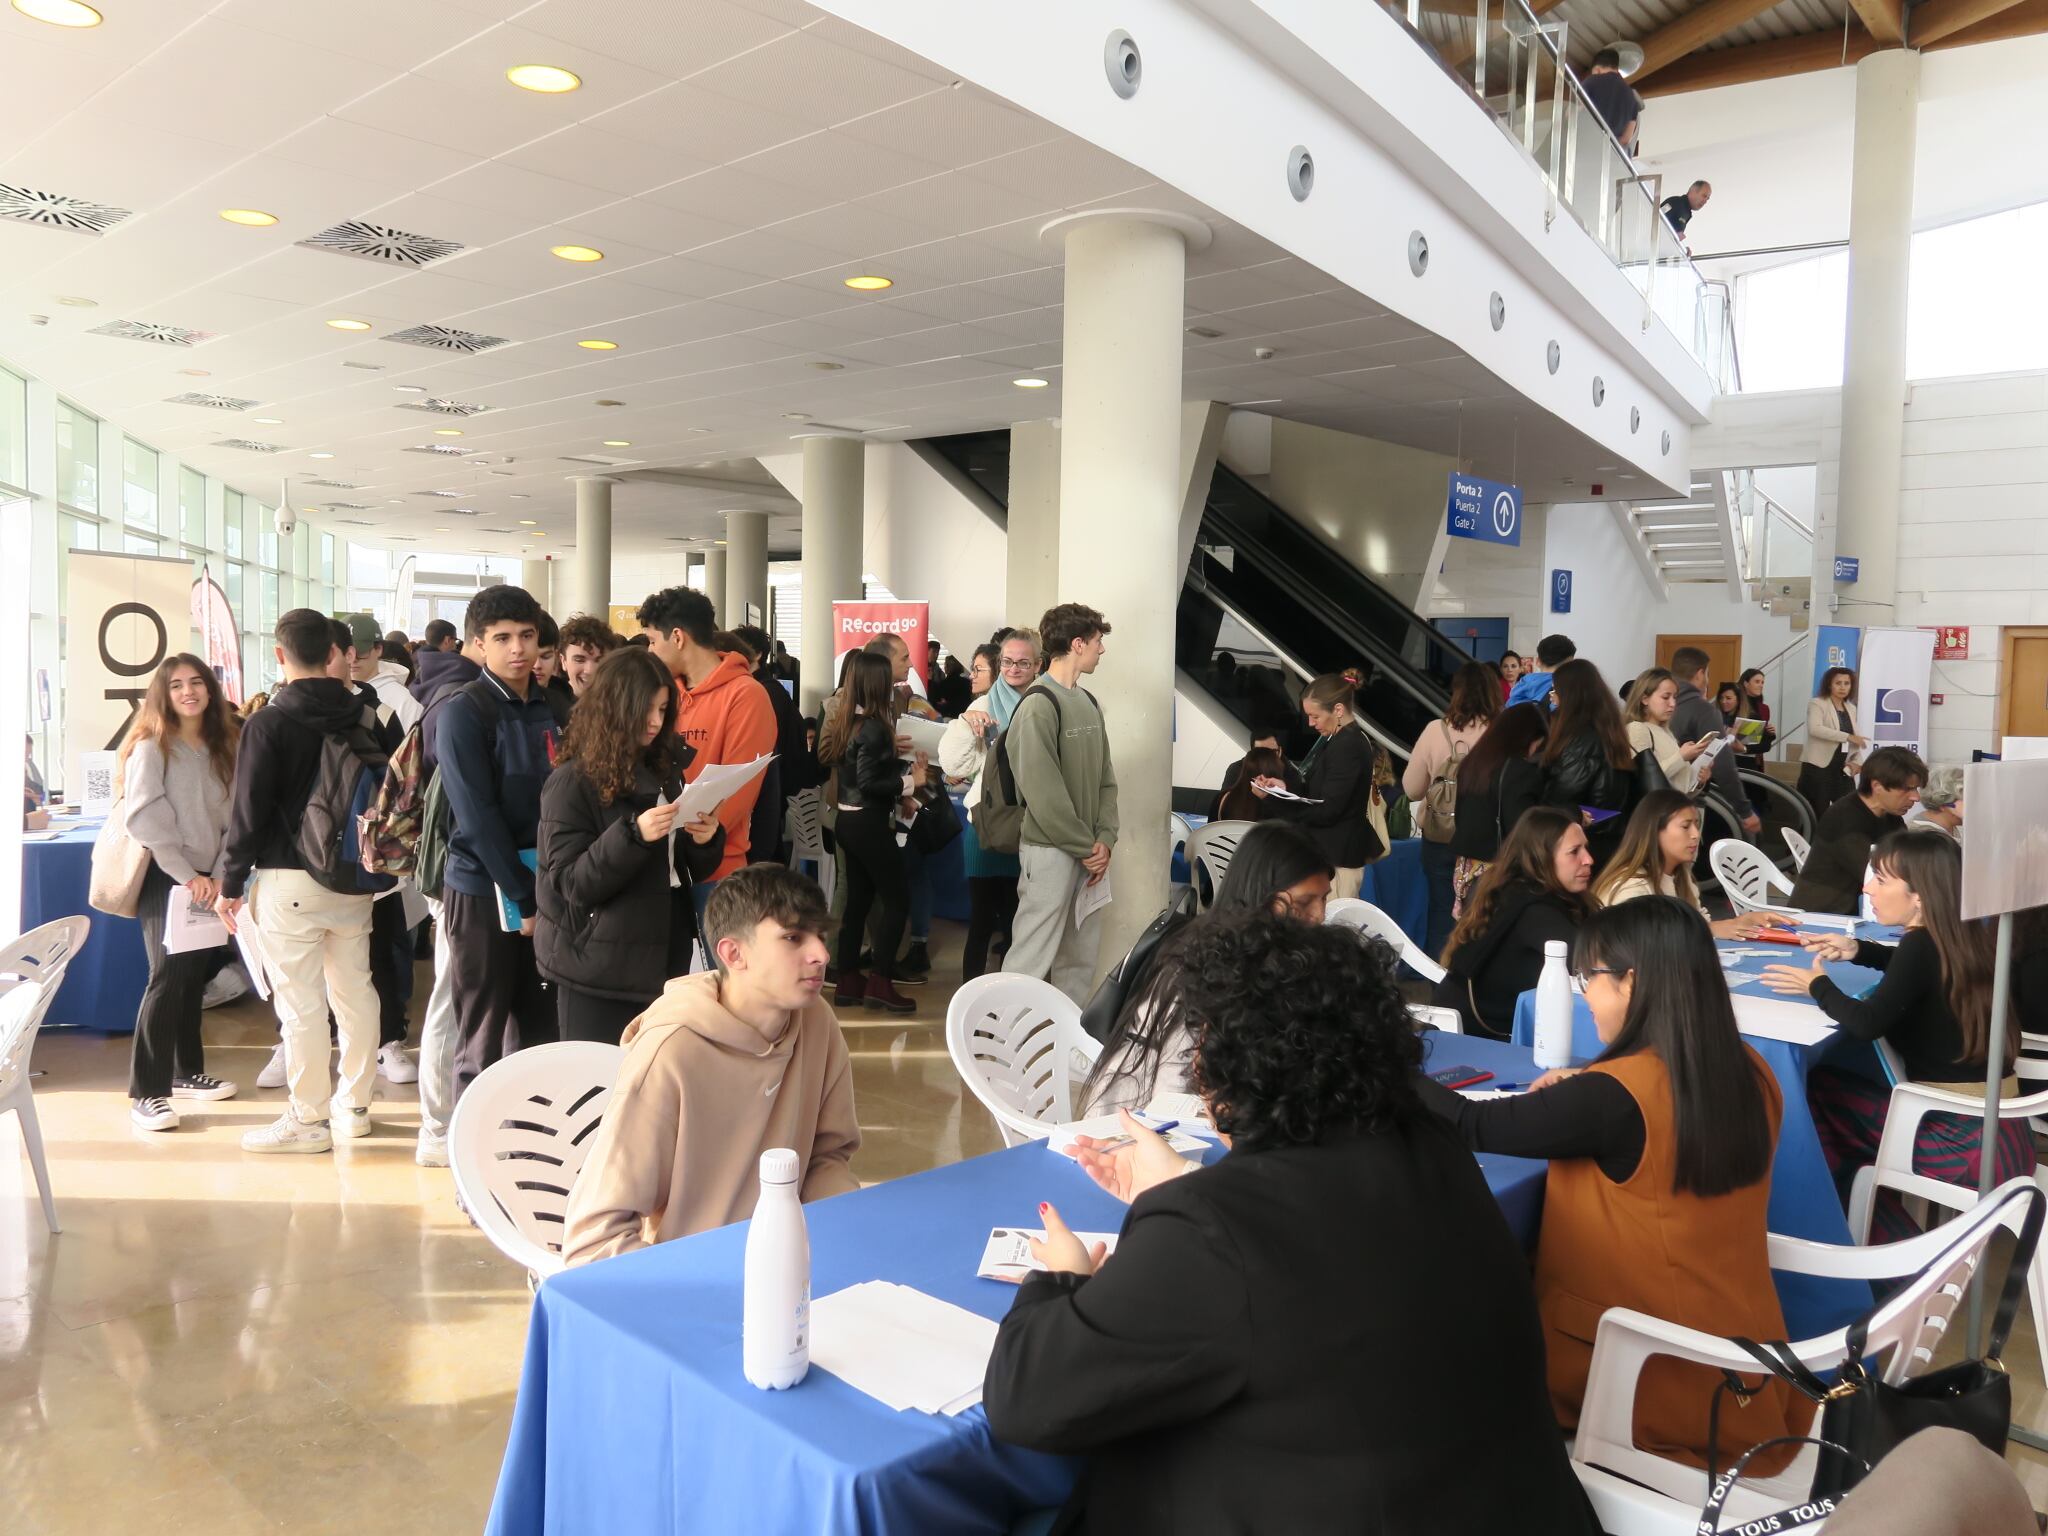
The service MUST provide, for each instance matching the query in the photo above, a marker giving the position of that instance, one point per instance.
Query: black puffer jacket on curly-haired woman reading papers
(609, 923)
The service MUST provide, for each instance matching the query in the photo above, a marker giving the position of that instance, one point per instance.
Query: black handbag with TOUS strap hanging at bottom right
(1869, 1416)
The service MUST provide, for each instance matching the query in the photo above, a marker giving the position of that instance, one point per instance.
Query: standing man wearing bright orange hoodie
(722, 712)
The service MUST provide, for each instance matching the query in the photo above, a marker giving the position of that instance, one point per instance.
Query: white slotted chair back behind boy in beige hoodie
(519, 1140)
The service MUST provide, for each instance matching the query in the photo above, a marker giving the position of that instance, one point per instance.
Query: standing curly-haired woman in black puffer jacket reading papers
(615, 886)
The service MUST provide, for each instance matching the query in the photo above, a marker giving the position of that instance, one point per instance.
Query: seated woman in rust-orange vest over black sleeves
(1660, 1179)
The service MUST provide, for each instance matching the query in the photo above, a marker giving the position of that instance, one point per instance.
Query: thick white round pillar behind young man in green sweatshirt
(1119, 513)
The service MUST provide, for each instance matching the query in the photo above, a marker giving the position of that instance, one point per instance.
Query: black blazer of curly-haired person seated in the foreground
(1330, 1338)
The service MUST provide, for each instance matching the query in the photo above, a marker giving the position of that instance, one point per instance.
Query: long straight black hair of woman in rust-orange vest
(1680, 1011)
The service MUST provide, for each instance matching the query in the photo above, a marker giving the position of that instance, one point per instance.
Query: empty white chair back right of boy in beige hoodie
(1021, 1050)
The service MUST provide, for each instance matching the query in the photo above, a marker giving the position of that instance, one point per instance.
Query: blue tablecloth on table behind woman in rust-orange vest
(1803, 1191)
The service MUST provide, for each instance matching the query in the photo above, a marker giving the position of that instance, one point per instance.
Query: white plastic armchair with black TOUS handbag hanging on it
(1641, 1494)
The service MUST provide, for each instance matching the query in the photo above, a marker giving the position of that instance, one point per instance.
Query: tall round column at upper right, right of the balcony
(1875, 359)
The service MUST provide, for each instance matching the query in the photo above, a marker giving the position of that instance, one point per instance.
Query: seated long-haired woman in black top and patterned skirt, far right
(1932, 1009)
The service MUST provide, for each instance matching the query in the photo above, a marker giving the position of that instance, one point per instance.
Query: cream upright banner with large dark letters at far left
(124, 615)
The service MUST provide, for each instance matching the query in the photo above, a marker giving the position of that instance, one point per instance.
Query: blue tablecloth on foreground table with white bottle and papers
(634, 1416)
